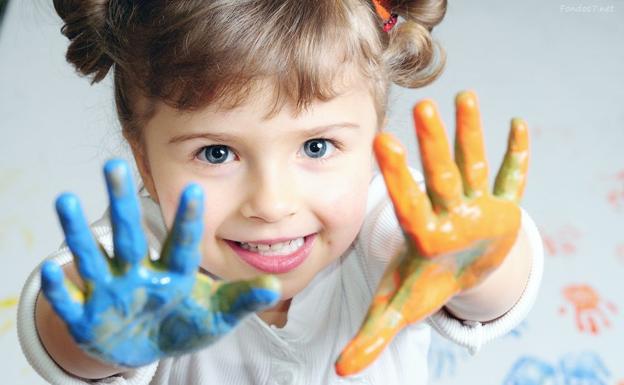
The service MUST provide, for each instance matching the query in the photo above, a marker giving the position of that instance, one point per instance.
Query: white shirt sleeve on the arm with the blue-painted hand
(29, 341)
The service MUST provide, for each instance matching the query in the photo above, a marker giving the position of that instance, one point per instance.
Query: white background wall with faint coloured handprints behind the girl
(558, 64)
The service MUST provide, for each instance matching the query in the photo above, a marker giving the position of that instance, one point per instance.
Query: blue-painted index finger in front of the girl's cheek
(181, 251)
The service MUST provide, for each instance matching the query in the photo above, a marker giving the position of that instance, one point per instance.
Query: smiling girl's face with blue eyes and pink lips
(302, 178)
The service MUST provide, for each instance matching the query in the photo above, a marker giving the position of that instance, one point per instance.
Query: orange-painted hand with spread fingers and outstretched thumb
(456, 234)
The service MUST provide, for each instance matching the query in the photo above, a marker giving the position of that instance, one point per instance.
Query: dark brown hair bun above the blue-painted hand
(87, 30)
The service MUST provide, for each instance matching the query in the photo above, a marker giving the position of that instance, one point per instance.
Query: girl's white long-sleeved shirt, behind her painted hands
(321, 319)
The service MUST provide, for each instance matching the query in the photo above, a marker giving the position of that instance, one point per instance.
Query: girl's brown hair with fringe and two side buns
(191, 53)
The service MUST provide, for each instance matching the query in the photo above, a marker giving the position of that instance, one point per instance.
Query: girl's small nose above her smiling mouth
(272, 195)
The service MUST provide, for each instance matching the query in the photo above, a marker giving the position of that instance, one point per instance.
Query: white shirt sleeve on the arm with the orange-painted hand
(381, 238)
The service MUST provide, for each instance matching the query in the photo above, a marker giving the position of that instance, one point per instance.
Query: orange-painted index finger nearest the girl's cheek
(411, 204)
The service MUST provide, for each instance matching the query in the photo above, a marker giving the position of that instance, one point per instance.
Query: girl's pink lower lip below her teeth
(275, 264)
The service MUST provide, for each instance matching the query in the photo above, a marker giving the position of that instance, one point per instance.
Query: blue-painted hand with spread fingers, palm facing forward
(137, 311)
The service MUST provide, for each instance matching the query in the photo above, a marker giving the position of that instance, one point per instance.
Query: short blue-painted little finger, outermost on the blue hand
(56, 292)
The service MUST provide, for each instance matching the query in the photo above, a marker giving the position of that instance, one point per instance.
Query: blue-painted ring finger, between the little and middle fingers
(91, 263)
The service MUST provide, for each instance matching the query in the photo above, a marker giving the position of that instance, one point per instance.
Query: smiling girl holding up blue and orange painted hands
(262, 269)
